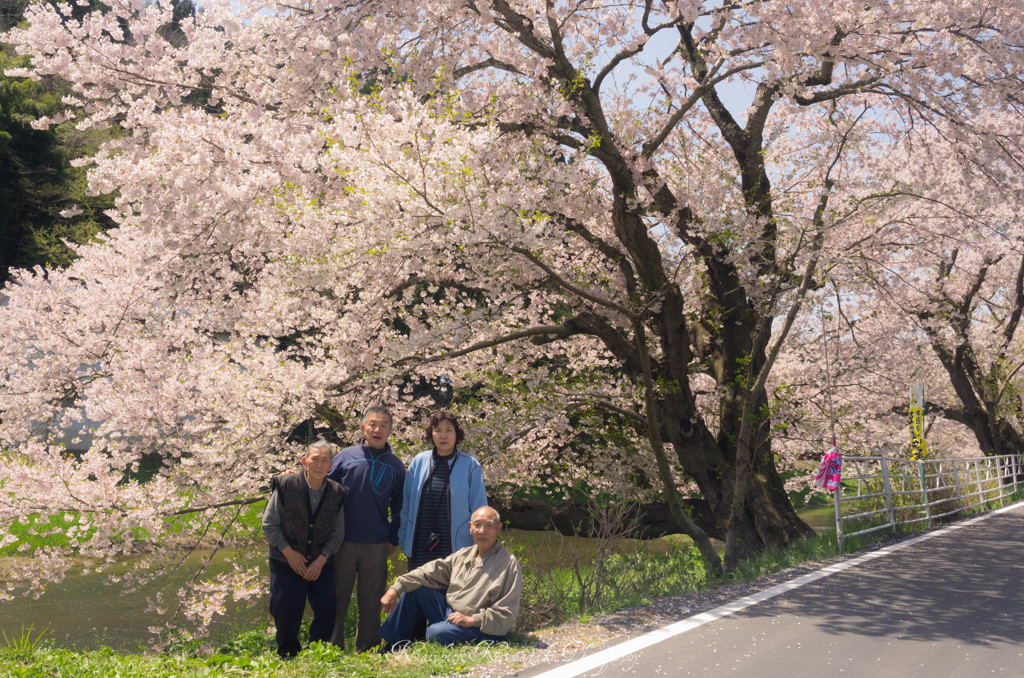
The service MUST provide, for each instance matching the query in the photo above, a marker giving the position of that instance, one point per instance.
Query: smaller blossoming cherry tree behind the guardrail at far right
(935, 300)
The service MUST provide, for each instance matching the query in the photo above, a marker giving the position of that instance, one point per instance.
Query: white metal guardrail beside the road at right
(892, 492)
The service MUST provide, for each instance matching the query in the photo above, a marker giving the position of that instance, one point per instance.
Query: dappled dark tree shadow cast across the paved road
(967, 585)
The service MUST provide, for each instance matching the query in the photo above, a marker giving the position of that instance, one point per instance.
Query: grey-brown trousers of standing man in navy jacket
(365, 565)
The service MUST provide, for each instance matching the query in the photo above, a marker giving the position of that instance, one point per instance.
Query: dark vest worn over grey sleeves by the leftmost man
(306, 530)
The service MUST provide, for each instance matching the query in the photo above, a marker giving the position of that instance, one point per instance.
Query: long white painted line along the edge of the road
(616, 653)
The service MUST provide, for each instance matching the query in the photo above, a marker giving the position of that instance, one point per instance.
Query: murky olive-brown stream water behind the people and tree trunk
(84, 612)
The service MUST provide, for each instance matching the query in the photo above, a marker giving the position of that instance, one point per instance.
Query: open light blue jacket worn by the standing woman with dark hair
(466, 492)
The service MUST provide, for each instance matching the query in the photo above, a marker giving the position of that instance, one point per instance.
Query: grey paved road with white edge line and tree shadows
(948, 605)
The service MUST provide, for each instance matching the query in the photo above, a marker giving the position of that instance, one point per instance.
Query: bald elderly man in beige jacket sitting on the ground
(470, 597)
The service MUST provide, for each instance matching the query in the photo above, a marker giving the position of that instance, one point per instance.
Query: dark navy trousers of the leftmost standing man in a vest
(288, 602)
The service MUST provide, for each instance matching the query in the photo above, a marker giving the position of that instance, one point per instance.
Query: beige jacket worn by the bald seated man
(488, 587)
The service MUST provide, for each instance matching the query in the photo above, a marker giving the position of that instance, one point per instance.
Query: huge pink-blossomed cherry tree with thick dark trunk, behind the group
(322, 204)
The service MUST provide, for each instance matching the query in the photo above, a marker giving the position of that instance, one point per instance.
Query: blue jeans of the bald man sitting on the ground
(430, 605)
